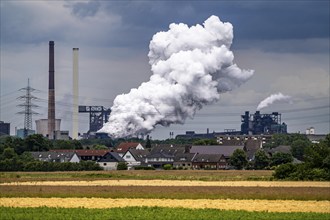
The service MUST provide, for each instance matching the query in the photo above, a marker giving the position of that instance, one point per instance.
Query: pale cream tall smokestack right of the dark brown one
(75, 93)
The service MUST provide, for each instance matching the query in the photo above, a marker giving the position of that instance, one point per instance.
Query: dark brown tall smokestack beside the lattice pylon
(51, 93)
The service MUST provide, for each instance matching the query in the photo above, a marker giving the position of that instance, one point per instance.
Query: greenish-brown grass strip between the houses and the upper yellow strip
(203, 175)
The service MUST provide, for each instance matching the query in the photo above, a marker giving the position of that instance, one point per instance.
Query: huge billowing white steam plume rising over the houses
(191, 67)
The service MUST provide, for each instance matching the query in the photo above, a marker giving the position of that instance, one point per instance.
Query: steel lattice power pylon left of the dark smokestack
(27, 106)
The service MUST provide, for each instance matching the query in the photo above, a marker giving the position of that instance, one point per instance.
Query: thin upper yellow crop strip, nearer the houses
(174, 183)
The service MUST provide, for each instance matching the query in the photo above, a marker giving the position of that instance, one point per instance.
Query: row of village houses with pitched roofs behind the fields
(134, 154)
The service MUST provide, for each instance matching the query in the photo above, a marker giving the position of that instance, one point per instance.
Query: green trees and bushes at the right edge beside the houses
(313, 159)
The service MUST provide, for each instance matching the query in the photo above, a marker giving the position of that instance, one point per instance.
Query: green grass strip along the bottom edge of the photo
(146, 213)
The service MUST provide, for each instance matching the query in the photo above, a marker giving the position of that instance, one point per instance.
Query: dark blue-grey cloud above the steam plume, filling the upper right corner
(251, 19)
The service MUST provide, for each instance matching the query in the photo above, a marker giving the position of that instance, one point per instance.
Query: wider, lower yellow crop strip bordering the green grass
(227, 204)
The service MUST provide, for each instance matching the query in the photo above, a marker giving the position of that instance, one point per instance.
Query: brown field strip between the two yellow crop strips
(172, 192)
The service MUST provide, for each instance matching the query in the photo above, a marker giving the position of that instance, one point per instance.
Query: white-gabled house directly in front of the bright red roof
(135, 157)
